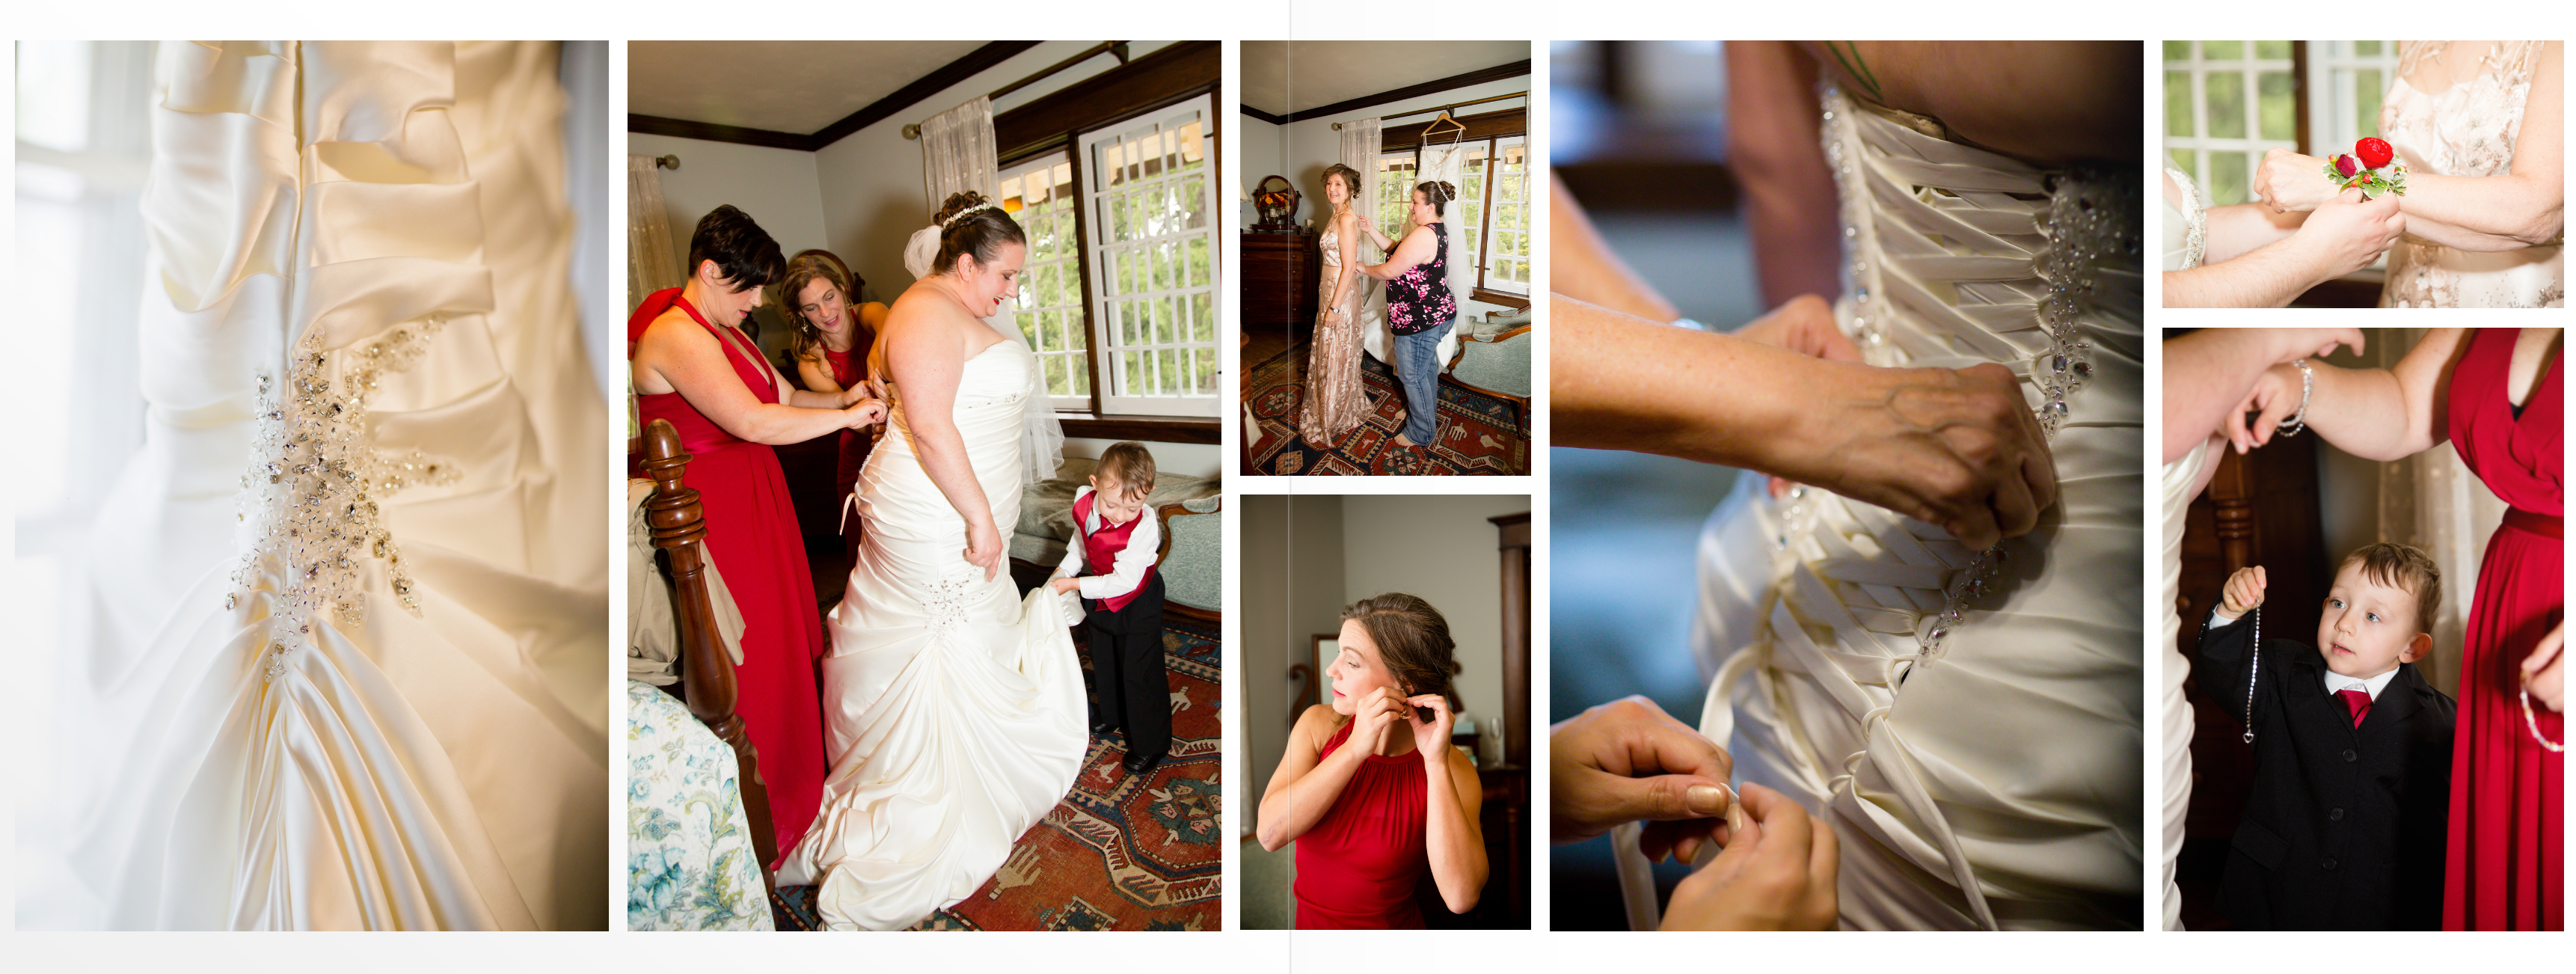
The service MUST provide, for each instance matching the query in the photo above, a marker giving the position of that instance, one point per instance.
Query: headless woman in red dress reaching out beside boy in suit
(2497, 398)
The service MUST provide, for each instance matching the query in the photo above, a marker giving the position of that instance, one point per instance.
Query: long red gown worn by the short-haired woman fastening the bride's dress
(751, 532)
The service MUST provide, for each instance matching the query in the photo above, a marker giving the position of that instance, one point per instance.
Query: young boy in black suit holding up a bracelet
(2343, 828)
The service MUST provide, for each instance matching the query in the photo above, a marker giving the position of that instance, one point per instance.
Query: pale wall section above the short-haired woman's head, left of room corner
(777, 187)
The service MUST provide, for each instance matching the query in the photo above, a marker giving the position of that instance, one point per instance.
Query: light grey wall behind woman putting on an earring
(1444, 550)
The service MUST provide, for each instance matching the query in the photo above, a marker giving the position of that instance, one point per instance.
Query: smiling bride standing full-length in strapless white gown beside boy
(954, 707)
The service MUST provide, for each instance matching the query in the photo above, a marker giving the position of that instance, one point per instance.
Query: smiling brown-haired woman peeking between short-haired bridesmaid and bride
(828, 341)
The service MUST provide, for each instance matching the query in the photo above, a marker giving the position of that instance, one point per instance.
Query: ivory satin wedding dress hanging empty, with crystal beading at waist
(341, 630)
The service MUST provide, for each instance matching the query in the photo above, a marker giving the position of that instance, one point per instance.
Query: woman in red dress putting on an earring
(1372, 792)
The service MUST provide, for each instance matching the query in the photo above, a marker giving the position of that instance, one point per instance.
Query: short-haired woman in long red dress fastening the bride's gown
(699, 372)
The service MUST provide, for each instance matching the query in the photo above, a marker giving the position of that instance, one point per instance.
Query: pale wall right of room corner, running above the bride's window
(872, 179)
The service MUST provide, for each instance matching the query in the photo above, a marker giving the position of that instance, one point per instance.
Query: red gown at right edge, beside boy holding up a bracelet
(2508, 841)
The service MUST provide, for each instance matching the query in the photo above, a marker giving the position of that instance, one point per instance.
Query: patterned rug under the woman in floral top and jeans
(1480, 434)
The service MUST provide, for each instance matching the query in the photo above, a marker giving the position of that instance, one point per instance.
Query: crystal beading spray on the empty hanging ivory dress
(316, 483)
